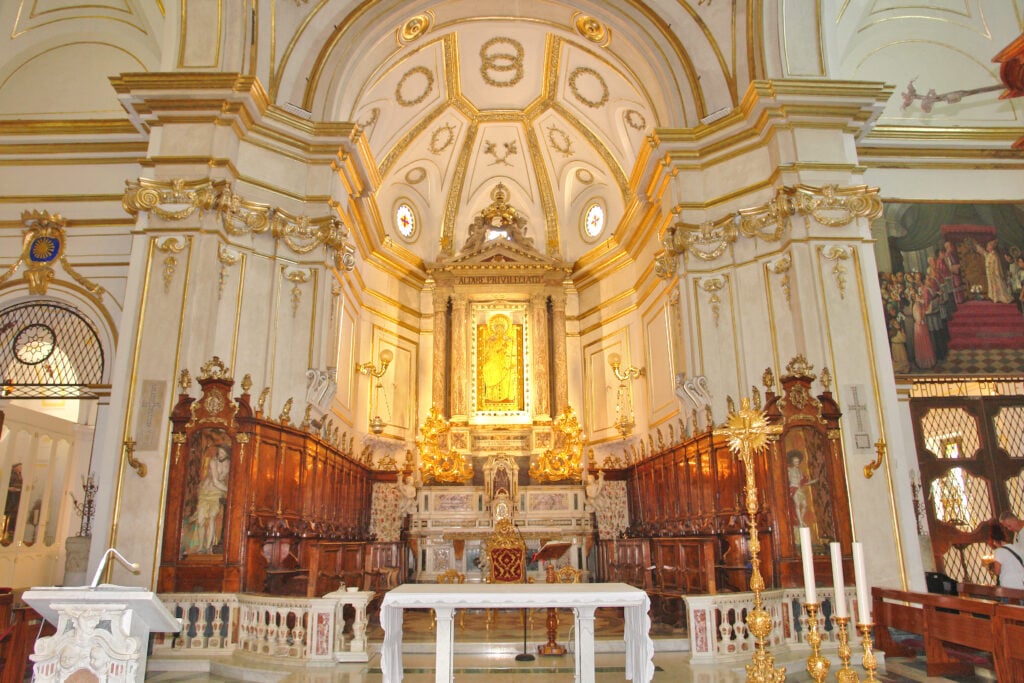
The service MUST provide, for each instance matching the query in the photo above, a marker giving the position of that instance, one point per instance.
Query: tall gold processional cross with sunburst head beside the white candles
(748, 432)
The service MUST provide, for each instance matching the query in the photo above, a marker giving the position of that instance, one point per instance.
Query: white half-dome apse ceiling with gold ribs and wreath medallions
(554, 106)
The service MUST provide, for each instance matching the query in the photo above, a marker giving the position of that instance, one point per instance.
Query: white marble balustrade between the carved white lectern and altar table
(298, 629)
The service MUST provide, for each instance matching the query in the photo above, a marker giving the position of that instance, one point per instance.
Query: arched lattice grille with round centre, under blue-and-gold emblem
(49, 351)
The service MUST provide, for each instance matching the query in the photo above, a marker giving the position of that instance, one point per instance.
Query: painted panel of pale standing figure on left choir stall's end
(206, 493)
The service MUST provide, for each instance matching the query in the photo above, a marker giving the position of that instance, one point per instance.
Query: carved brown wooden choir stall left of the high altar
(261, 506)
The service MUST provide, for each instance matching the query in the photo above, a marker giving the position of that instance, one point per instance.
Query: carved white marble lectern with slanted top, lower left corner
(104, 631)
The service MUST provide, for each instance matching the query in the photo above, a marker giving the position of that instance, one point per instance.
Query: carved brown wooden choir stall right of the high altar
(689, 525)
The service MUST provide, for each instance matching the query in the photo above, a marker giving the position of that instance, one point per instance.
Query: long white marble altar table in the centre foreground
(582, 599)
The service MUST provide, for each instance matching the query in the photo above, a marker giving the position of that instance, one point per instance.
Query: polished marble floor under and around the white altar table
(484, 654)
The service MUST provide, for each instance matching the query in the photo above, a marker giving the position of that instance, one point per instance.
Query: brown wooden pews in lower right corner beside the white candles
(945, 621)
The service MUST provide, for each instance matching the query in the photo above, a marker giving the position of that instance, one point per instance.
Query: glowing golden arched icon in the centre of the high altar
(499, 365)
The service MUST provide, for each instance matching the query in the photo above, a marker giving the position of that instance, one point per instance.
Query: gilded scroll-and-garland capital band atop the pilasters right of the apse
(831, 206)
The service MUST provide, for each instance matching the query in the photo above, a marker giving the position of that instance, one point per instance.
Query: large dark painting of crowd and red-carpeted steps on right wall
(953, 286)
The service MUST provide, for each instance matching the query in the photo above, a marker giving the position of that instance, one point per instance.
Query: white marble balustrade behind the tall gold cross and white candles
(718, 627)
